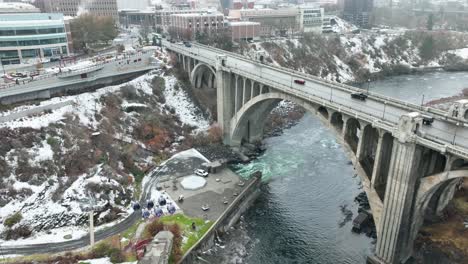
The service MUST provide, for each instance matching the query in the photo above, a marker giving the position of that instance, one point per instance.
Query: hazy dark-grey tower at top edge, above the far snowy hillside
(358, 12)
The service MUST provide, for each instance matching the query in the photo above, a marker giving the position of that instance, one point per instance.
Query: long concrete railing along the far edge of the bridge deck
(344, 87)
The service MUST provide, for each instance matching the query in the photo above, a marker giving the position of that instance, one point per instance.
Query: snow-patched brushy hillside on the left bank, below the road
(96, 146)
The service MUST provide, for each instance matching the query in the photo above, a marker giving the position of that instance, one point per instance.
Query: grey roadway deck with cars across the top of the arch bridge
(445, 133)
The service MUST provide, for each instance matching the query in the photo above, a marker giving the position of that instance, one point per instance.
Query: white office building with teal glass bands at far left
(31, 36)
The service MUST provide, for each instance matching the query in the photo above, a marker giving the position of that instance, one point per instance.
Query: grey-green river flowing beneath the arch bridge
(299, 216)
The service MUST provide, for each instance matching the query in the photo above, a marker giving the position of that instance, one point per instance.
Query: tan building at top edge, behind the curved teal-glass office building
(78, 7)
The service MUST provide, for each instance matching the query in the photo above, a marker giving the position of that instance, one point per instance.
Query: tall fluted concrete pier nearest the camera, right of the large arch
(395, 240)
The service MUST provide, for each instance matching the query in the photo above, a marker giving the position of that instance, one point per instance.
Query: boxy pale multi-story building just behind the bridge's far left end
(187, 26)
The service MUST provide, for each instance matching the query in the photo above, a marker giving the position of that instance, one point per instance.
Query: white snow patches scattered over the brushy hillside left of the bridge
(39, 210)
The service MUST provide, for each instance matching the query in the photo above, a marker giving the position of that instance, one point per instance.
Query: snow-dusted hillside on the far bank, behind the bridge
(358, 57)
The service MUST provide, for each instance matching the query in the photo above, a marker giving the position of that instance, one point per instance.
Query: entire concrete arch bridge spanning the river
(410, 158)
